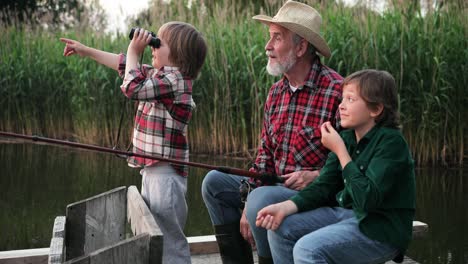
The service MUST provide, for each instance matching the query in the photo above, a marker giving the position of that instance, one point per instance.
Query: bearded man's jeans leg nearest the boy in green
(258, 199)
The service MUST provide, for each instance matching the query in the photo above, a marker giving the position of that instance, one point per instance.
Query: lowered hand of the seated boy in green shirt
(273, 215)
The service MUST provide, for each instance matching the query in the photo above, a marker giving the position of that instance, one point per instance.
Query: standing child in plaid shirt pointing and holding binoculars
(165, 104)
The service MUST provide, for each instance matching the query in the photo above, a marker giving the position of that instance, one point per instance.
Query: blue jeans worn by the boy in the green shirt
(325, 235)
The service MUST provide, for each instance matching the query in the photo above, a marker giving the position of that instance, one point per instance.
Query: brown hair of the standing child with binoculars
(187, 47)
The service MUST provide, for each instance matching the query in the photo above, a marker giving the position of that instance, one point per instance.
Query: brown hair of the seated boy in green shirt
(378, 88)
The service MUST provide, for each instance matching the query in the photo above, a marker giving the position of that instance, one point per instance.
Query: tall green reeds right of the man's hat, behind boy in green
(428, 57)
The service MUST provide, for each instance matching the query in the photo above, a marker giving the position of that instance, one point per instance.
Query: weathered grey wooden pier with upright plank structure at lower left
(95, 230)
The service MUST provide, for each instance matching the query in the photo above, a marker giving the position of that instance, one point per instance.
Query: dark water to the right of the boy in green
(441, 196)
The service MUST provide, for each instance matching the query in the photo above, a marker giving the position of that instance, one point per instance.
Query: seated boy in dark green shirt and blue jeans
(361, 207)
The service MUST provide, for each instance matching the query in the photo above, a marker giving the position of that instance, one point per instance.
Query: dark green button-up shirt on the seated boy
(378, 185)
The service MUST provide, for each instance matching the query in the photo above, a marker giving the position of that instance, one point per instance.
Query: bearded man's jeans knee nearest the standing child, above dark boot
(221, 195)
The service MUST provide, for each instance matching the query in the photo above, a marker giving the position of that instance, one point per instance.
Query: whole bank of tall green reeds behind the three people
(45, 93)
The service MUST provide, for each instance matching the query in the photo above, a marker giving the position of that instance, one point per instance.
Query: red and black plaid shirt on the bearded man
(291, 128)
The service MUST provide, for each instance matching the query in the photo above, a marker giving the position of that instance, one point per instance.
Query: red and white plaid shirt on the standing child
(164, 110)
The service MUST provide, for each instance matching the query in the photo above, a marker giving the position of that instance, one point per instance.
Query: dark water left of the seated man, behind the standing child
(37, 182)
